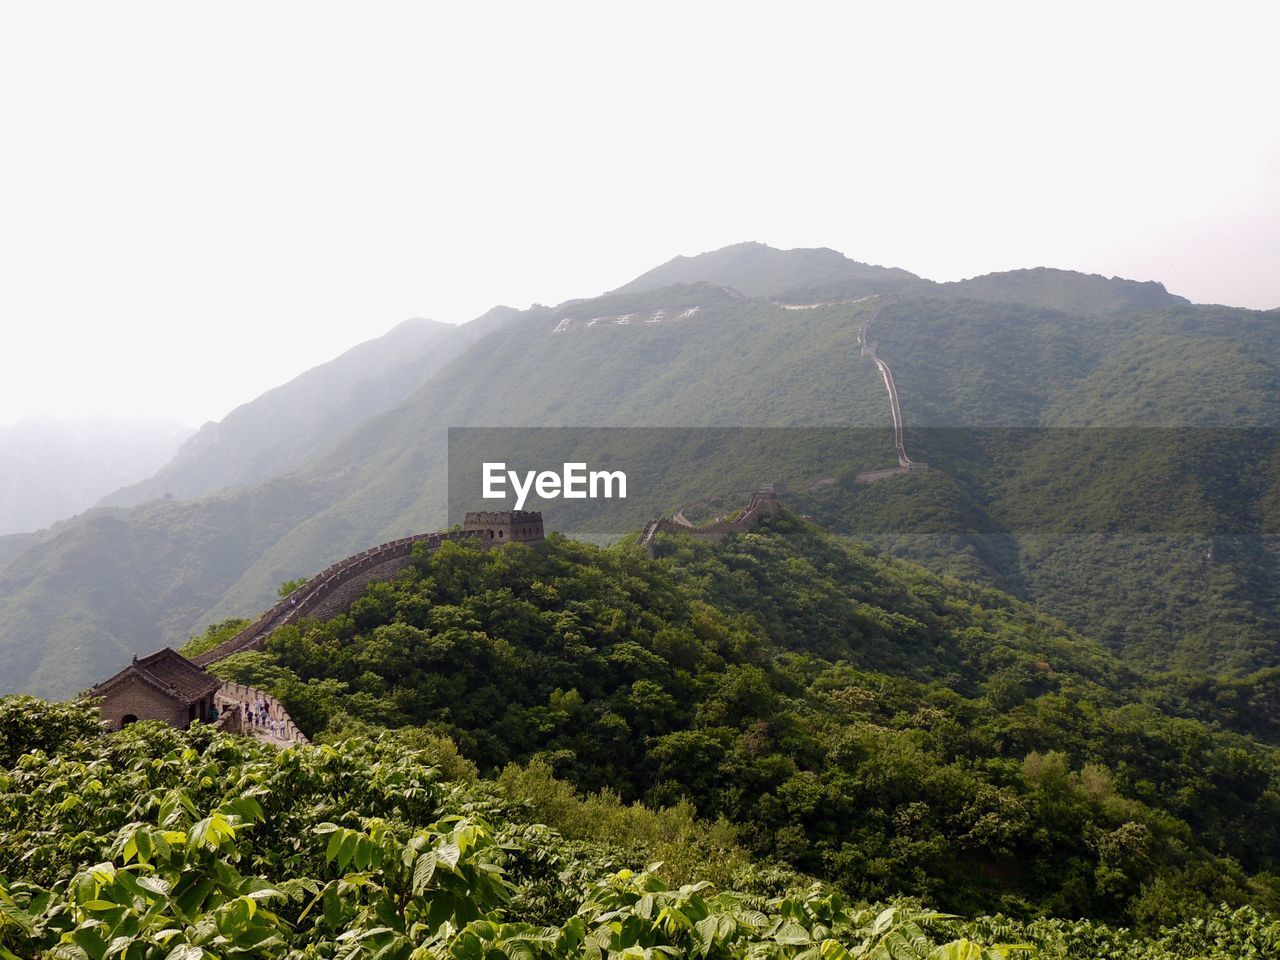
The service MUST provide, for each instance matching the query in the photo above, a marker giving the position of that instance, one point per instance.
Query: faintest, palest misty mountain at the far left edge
(53, 469)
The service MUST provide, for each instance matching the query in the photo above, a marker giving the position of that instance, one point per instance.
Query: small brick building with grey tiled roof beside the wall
(164, 687)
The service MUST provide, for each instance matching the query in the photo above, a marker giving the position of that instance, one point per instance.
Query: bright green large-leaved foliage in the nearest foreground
(158, 844)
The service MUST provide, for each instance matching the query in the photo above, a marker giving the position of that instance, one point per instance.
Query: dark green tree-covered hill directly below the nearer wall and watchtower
(863, 721)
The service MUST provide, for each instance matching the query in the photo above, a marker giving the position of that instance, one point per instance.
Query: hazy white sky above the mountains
(200, 202)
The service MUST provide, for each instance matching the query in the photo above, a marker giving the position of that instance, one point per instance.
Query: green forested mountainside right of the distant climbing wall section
(1122, 472)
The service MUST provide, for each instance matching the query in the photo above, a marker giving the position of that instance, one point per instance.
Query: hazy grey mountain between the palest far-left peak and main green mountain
(268, 436)
